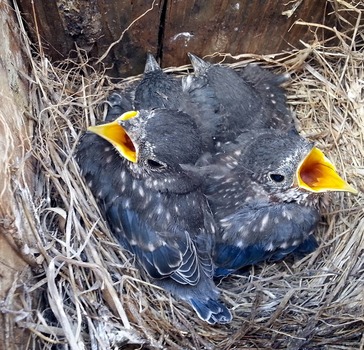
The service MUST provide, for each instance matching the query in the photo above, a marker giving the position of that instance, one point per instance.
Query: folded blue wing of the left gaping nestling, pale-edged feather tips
(161, 255)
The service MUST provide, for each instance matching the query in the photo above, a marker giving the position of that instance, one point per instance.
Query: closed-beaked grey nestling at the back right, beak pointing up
(251, 100)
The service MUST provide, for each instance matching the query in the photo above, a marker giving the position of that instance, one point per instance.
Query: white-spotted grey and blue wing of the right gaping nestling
(242, 247)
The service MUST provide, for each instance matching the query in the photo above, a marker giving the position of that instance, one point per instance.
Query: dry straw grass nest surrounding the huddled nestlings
(86, 290)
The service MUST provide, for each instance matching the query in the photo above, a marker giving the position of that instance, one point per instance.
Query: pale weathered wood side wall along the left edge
(15, 175)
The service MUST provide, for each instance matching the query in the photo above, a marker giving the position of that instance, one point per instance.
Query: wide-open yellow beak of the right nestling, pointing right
(317, 174)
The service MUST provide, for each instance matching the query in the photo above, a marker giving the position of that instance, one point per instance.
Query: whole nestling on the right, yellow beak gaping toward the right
(264, 192)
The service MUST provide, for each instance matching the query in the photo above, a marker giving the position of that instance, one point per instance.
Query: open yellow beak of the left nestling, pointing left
(117, 136)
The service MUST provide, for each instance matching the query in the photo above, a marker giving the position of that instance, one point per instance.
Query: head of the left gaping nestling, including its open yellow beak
(153, 143)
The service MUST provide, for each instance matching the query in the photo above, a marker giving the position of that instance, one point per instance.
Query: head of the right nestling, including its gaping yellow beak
(288, 166)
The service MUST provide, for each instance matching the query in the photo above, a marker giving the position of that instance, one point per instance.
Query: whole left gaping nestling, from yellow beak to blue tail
(154, 207)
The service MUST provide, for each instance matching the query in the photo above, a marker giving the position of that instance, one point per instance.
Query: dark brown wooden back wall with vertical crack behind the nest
(169, 29)
